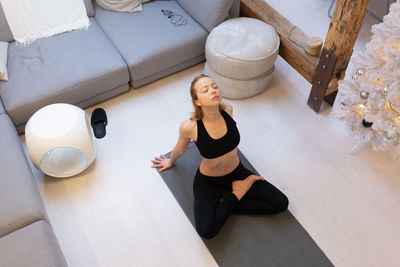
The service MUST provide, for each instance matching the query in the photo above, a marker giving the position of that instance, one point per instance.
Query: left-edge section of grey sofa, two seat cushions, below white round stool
(26, 237)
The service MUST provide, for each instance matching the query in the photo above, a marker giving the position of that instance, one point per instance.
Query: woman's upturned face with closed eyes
(208, 93)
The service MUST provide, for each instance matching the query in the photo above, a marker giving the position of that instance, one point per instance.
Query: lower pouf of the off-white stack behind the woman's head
(238, 89)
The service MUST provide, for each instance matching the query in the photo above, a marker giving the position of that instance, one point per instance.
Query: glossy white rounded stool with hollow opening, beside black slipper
(60, 140)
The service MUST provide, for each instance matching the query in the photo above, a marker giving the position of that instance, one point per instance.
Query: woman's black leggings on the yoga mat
(214, 200)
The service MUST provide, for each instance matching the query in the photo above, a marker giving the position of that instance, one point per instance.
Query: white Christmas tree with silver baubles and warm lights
(370, 101)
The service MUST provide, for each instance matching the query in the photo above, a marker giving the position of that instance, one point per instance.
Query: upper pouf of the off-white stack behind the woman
(242, 48)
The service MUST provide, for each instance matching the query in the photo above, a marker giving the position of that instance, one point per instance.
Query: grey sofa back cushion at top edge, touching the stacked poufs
(208, 13)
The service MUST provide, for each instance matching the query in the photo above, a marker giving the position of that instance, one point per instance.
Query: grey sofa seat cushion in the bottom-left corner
(34, 245)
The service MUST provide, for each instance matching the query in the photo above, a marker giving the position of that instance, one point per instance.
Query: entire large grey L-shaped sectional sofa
(84, 68)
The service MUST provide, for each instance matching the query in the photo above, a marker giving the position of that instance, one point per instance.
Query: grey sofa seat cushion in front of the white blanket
(70, 68)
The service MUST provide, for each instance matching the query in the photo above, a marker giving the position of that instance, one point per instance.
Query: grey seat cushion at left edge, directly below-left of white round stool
(20, 202)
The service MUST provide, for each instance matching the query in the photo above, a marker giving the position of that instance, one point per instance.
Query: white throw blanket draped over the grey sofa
(30, 20)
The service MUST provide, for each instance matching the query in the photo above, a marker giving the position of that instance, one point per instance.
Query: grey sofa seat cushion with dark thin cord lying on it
(148, 41)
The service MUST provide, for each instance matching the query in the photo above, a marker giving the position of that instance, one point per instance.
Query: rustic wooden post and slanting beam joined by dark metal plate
(340, 39)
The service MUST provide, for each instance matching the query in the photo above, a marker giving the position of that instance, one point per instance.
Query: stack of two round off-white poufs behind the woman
(240, 54)
